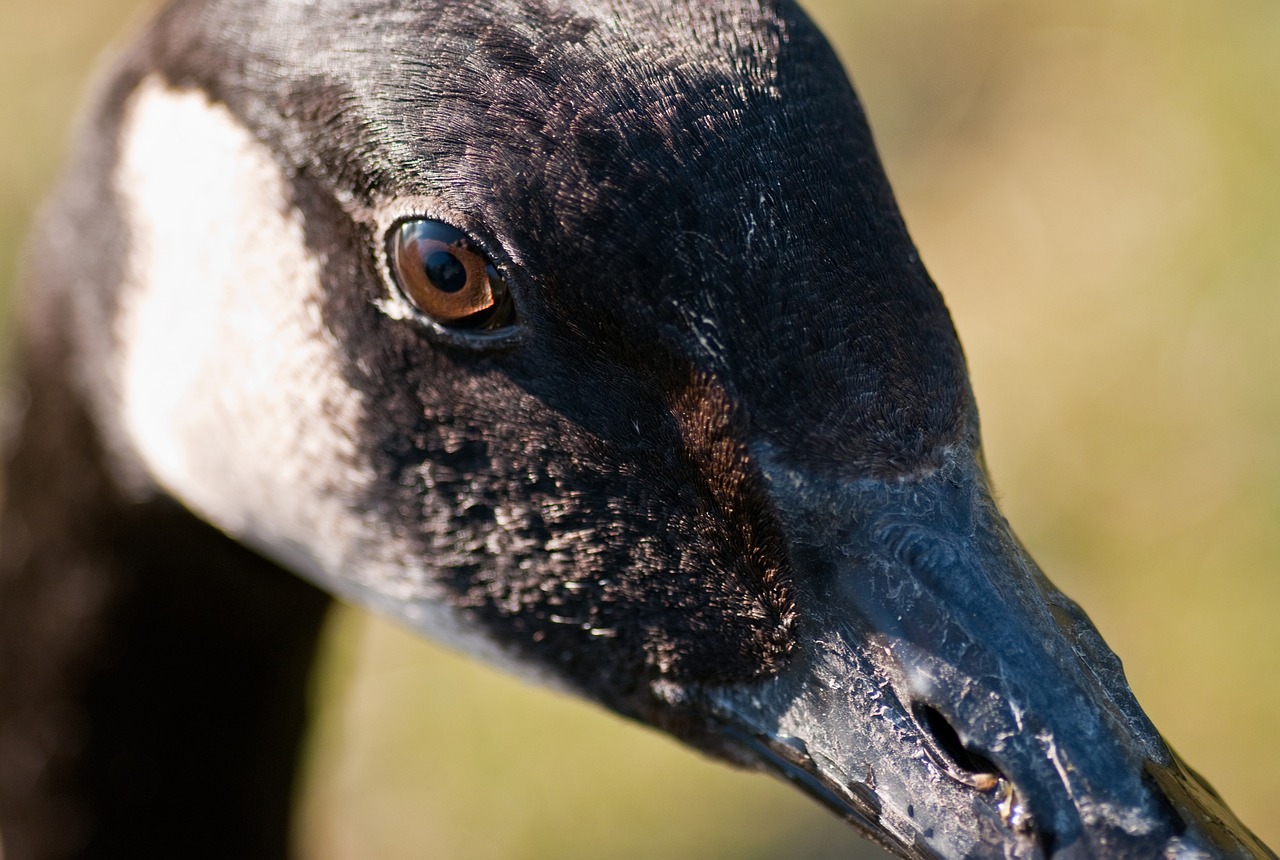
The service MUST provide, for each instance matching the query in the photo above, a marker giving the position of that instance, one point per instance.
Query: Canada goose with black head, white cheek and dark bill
(499, 319)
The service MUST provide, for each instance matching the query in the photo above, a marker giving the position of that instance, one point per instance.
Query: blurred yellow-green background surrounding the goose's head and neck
(1096, 189)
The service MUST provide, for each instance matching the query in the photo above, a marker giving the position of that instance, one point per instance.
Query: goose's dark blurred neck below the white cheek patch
(153, 673)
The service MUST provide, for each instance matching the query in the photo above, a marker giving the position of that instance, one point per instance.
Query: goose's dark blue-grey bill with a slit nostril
(948, 701)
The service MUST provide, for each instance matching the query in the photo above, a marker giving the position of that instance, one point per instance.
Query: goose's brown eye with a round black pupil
(447, 278)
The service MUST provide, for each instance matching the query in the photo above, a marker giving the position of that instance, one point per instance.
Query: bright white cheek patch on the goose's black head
(232, 385)
